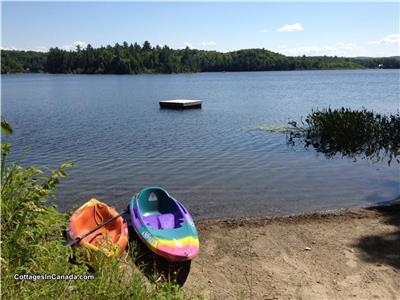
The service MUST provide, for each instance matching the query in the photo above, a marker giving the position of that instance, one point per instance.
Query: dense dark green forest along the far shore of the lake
(135, 59)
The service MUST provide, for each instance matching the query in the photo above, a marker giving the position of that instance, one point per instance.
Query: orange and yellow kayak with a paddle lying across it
(111, 239)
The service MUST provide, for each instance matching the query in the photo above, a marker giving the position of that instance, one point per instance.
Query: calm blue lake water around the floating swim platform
(210, 159)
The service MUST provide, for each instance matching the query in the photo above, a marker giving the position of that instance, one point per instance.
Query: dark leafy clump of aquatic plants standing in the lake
(351, 133)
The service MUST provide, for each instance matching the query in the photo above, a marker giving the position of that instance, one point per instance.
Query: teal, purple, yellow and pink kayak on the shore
(164, 225)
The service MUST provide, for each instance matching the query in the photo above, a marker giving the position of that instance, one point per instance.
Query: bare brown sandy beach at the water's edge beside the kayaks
(350, 254)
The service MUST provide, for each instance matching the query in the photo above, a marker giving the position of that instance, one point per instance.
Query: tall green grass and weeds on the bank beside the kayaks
(32, 243)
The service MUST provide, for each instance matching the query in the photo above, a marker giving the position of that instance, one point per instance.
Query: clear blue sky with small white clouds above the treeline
(292, 28)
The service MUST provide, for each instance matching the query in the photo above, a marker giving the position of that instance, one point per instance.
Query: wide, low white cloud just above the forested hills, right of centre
(338, 49)
